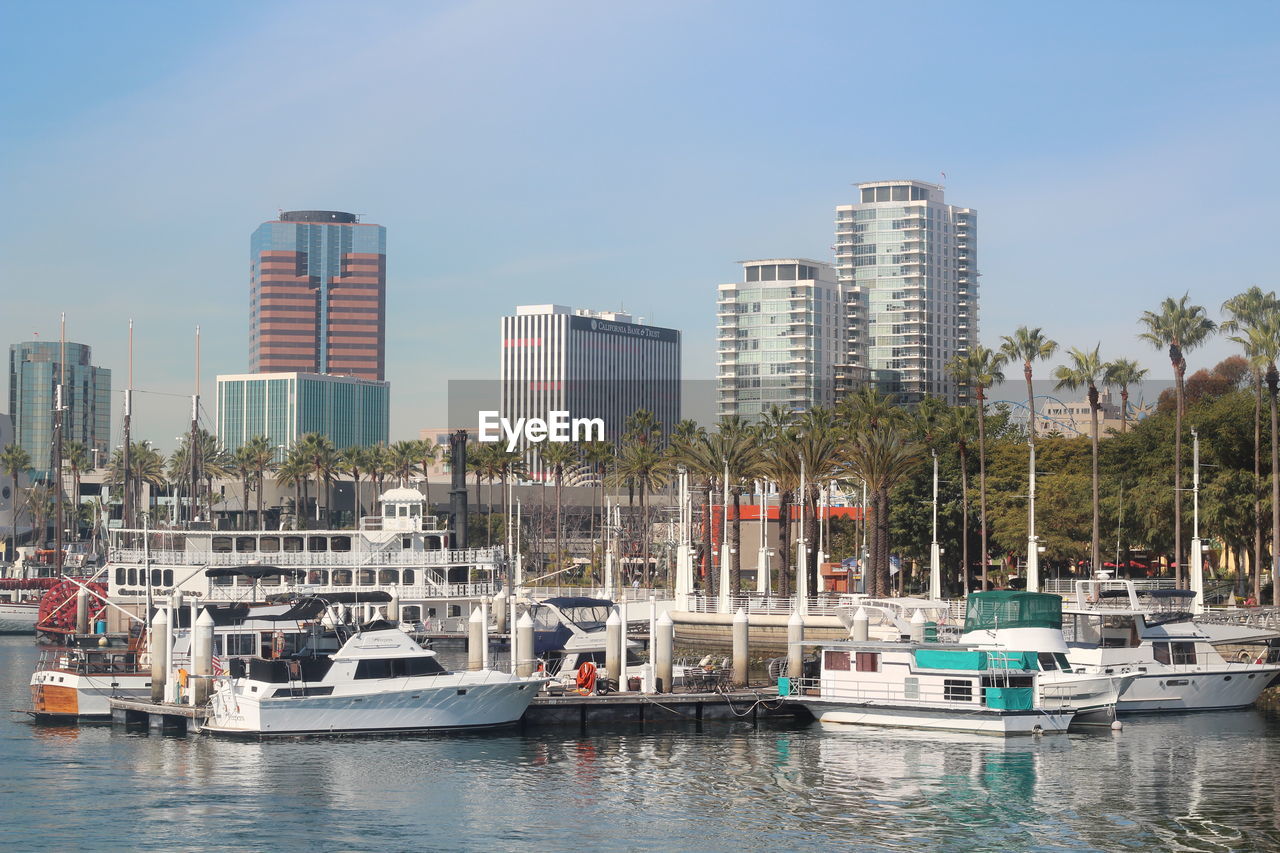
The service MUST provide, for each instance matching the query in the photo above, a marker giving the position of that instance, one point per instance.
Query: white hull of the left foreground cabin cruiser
(447, 706)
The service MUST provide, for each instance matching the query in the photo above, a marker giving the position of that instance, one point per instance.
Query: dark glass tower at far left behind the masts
(35, 371)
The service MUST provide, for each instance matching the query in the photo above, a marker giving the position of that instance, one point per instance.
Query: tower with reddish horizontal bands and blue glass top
(318, 295)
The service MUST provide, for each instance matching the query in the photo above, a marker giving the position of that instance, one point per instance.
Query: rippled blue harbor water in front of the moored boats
(1195, 782)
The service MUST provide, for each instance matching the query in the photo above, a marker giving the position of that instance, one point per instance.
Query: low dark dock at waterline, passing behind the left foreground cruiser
(546, 711)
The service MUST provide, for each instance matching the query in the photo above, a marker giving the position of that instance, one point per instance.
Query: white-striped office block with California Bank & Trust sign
(591, 364)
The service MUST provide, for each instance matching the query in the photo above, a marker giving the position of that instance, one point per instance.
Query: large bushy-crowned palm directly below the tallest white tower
(881, 457)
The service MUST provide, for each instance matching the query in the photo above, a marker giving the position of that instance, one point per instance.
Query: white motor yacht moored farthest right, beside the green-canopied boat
(1173, 660)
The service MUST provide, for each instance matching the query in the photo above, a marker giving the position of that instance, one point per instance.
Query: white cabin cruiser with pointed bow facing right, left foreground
(380, 682)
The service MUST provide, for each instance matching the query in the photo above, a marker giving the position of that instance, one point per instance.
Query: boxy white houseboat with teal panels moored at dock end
(926, 686)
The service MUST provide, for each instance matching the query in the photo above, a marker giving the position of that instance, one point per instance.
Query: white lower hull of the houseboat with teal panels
(979, 722)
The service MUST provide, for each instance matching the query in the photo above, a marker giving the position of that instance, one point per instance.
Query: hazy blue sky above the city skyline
(605, 156)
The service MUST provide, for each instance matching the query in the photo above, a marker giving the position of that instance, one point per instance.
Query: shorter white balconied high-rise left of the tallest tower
(781, 332)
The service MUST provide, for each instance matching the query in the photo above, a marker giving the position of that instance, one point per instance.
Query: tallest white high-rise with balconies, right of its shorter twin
(907, 263)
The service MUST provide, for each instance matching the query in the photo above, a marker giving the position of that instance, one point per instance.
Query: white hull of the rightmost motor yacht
(1205, 691)
